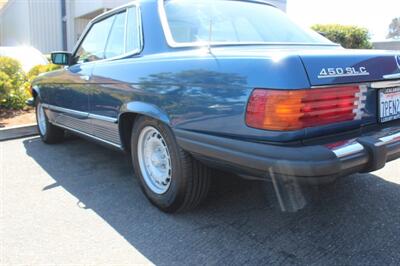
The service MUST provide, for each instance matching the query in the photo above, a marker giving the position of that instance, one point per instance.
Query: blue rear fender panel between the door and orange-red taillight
(198, 93)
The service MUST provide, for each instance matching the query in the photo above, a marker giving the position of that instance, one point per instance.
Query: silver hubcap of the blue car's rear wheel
(154, 160)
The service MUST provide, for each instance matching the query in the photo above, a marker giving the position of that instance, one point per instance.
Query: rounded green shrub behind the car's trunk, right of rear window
(348, 36)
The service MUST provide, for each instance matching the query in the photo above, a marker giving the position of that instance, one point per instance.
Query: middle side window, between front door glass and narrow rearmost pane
(115, 45)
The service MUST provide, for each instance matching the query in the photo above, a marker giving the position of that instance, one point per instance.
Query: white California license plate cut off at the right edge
(389, 104)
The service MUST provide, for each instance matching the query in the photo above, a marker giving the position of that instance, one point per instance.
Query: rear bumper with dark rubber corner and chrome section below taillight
(311, 164)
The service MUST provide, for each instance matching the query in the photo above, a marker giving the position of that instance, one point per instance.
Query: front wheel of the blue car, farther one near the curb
(48, 132)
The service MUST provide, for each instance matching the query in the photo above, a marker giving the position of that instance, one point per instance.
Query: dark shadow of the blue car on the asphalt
(354, 221)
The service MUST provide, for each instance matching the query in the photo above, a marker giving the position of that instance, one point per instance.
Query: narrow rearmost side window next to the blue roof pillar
(132, 31)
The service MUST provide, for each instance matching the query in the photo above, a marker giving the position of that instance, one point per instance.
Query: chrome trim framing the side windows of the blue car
(108, 14)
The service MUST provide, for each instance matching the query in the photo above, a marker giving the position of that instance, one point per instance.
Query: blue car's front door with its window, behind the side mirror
(71, 99)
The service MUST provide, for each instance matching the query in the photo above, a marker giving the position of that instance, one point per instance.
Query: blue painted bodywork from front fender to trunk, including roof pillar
(200, 90)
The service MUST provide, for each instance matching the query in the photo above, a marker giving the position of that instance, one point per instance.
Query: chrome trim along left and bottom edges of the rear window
(173, 44)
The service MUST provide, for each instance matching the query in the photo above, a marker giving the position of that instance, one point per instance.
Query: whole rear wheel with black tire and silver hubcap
(170, 177)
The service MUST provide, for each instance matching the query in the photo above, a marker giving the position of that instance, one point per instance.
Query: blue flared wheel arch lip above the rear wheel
(146, 109)
